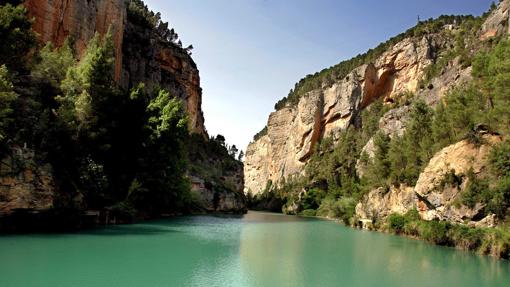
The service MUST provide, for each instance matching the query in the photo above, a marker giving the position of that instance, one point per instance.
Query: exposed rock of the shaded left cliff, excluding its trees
(142, 55)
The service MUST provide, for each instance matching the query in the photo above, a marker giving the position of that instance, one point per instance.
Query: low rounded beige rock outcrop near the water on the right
(435, 198)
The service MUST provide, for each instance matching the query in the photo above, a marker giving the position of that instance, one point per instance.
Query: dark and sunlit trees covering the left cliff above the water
(126, 151)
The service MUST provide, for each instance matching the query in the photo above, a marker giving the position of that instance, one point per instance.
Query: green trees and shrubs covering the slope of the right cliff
(333, 185)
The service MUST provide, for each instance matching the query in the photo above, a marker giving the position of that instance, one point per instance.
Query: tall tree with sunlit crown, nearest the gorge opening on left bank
(164, 164)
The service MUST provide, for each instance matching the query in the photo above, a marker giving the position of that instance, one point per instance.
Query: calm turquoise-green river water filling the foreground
(257, 249)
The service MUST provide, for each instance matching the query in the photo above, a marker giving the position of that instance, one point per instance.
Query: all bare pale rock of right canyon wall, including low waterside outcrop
(407, 66)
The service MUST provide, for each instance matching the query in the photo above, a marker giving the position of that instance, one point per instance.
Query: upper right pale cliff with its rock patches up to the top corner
(294, 130)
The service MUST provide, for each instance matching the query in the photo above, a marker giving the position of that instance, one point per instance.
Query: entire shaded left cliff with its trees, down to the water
(82, 142)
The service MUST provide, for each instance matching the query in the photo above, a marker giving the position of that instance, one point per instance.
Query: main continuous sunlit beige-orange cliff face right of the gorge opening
(292, 132)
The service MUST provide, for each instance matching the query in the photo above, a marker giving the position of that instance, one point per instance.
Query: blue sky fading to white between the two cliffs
(250, 53)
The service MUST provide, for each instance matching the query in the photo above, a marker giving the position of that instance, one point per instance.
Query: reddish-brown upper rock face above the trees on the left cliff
(140, 56)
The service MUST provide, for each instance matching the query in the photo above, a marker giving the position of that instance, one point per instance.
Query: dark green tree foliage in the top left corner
(16, 34)
